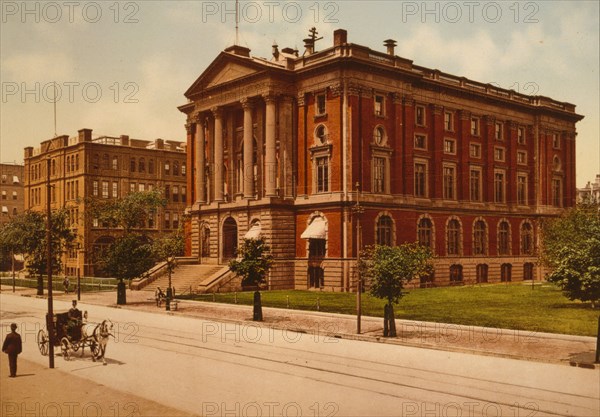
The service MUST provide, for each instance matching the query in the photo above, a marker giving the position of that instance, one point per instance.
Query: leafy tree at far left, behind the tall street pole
(26, 234)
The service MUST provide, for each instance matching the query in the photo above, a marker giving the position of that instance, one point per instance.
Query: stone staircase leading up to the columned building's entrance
(187, 276)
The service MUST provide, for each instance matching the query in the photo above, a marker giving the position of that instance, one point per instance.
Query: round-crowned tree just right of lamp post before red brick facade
(388, 268)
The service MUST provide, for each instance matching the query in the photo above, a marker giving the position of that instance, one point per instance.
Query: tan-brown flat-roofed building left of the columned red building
(104, 167)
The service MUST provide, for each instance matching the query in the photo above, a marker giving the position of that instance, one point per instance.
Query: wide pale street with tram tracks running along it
(208, 368)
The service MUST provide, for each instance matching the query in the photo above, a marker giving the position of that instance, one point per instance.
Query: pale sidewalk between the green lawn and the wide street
(516, 344)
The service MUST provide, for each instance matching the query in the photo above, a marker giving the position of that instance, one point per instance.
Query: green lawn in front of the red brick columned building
(515, 306)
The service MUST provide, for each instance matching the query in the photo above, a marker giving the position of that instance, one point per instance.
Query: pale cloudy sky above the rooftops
(122, 67)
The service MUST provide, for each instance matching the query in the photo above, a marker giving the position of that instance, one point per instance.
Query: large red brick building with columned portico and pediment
(285, 147)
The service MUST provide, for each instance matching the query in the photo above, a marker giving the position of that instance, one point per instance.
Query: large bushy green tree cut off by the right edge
(571, 249)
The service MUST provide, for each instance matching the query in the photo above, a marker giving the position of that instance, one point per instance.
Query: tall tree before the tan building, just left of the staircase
(130, 255)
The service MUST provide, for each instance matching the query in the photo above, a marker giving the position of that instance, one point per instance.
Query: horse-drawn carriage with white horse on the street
(72, 332)
